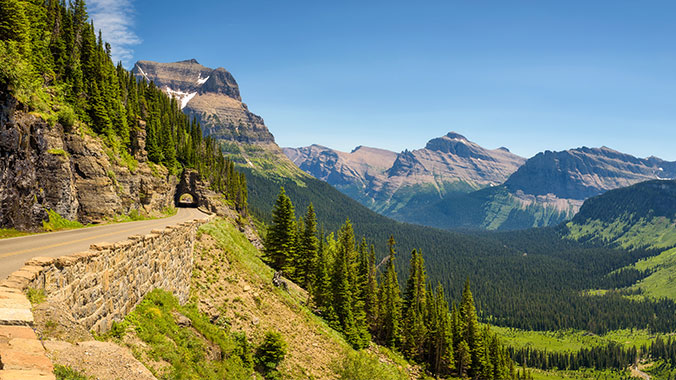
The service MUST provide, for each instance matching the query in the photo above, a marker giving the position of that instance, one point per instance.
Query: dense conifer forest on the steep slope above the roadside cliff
(55, 65)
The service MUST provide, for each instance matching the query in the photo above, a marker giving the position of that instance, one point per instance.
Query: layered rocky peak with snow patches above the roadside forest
(210, 95)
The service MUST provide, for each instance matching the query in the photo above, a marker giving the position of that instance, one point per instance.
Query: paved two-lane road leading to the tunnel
(14, 252)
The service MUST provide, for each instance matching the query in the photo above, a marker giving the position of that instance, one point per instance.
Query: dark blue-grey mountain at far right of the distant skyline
(578, 174)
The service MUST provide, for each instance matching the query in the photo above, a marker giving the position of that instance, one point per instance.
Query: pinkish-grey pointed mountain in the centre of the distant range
(392, 183)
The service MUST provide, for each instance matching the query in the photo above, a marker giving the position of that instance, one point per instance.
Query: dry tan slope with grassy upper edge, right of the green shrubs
(232, 284)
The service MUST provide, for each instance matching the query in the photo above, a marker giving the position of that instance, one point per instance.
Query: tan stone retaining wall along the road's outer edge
(98, 287)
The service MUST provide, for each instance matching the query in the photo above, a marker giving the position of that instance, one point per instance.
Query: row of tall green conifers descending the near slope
(362, 298)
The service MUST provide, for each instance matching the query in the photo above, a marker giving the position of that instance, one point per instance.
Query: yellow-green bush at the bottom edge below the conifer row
(361, 366)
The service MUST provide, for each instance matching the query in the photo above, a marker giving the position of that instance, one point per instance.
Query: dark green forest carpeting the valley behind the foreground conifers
(532, 279)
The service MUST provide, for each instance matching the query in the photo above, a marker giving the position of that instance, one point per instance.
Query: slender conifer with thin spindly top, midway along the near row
(389, 296)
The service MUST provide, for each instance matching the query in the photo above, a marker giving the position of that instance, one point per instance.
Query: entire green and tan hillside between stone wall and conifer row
(233, 301)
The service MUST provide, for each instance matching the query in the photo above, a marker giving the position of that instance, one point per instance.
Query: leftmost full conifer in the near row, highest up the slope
(280, 241)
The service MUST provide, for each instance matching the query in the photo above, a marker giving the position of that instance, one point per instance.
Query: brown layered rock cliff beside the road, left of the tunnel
(44, 167)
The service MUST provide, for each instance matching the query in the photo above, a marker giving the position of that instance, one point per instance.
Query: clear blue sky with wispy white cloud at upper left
(527, 75)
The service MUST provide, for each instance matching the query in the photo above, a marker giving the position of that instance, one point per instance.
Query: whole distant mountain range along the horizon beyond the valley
(455, 183)
